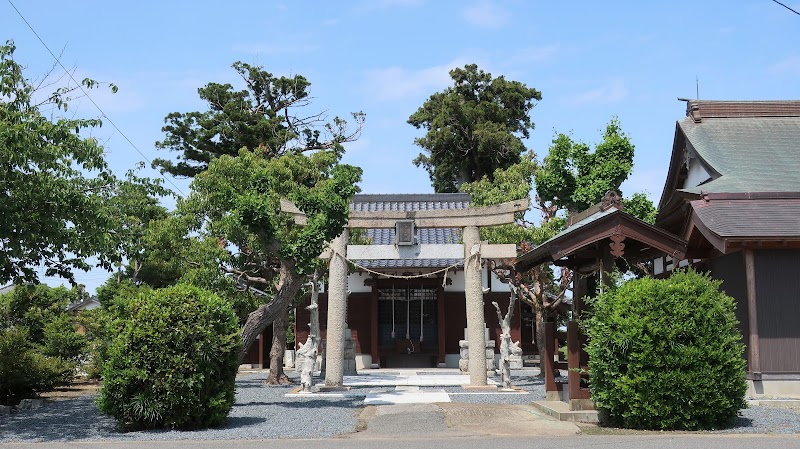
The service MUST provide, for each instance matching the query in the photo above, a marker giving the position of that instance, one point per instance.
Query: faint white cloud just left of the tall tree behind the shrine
(395, 83)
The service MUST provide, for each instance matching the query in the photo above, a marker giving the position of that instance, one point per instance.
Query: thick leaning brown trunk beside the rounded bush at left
(289, 284)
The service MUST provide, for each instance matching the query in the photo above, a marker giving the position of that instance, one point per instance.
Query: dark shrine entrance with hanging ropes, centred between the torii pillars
(408, 326)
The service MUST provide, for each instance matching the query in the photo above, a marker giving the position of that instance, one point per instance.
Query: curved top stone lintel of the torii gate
(430, 218)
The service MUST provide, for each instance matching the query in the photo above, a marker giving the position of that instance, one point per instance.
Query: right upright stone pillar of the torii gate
(473, 292)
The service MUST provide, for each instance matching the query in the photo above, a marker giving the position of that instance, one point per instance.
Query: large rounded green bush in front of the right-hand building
(666, 354)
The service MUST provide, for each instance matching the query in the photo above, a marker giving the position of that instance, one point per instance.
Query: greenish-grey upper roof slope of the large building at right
(751, 154)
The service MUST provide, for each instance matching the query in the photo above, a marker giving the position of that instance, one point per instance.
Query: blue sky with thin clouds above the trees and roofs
(591, 61)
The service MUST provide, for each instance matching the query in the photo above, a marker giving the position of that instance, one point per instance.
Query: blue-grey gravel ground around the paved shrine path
(264, 412)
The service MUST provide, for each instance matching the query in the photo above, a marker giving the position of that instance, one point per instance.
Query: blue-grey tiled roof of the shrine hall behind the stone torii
(411, 202)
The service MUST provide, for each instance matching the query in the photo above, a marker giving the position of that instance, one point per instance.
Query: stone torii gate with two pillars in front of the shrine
(470, 219)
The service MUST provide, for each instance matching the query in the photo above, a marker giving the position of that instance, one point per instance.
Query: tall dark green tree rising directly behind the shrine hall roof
(473, 127)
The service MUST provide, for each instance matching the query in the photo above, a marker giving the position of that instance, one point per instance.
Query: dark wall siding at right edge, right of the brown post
(778, 295)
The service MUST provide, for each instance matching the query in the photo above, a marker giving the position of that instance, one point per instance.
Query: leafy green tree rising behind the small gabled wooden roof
(570, 179)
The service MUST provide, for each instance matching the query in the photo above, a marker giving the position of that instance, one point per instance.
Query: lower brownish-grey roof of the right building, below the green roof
(752, 219)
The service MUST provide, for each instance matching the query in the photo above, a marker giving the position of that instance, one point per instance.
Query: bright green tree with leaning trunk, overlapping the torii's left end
(238, 199)
